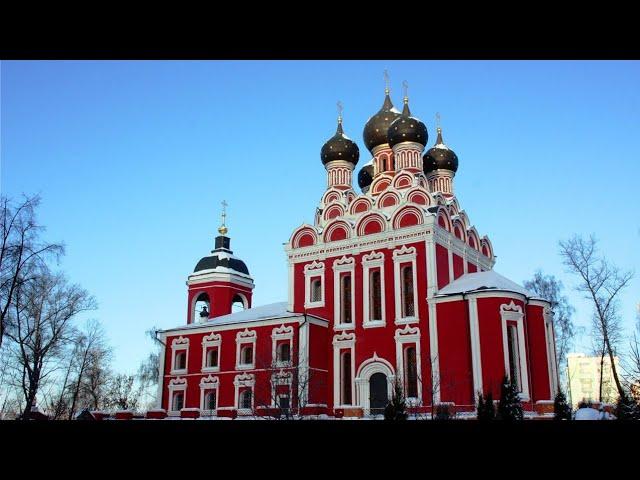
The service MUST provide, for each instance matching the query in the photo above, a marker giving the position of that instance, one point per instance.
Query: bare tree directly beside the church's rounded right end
(549, 288)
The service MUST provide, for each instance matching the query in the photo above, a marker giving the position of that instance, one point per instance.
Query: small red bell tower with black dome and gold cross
(219, 281)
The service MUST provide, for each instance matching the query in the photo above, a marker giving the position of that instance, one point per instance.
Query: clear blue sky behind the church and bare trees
(133, 158)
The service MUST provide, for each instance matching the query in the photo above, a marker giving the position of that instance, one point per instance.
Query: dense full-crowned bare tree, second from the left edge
(42, 314)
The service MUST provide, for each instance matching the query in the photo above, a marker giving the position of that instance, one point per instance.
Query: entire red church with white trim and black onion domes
(389, 289)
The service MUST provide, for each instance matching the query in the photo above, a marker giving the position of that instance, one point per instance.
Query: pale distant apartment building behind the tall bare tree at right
(583, 373)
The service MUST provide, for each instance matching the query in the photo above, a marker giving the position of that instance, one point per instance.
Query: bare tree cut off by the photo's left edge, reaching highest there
(20, 250)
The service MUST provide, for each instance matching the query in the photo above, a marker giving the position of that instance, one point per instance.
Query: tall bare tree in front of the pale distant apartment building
(600, 282)
